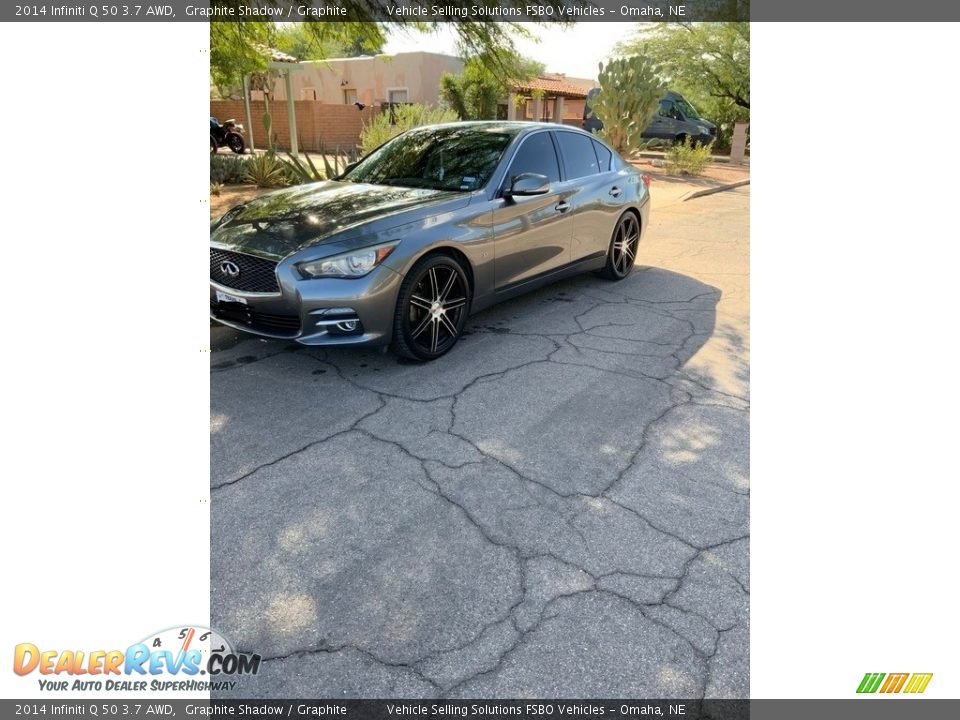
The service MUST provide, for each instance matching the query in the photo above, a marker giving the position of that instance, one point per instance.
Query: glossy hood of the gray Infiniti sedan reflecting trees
(280, 223)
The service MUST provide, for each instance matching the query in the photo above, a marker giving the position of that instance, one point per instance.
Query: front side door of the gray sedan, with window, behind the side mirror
(532, 234)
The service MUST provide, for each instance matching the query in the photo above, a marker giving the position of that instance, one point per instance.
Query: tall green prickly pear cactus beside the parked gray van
(630, 92)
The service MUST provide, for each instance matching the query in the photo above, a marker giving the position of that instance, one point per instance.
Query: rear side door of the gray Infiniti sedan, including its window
(592, 192)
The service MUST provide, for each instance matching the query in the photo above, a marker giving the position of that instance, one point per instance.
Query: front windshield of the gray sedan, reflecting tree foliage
(439, 158)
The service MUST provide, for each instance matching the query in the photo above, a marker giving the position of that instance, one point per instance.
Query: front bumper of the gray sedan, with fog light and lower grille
(315, 312)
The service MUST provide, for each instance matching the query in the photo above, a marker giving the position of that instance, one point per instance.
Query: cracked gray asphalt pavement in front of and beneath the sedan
(558, 507)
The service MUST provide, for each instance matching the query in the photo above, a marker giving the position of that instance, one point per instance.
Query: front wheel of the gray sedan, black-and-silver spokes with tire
(431, 309)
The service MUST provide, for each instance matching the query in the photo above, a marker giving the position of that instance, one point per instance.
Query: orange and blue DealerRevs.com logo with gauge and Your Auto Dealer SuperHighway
(184, 659)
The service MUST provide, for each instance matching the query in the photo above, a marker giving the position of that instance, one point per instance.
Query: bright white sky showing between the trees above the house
(574, 50)
